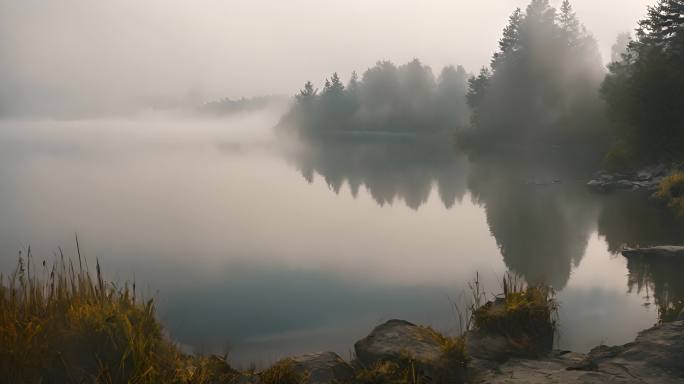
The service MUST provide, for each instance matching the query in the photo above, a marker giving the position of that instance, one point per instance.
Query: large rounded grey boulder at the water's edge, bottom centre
(399, 341)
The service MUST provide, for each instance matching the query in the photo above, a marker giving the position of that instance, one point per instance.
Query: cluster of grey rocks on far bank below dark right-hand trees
(646, 179)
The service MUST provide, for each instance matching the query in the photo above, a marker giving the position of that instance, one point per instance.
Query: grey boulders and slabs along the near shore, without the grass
(656, 356)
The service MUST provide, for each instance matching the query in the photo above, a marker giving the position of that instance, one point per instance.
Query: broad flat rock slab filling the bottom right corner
(655, 357)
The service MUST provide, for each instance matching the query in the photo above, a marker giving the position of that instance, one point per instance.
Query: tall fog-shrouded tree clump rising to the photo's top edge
(542, 82)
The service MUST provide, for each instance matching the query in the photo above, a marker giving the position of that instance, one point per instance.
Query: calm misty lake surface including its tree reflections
(263, 250)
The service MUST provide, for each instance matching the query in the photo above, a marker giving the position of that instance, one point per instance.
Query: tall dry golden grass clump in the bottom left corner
(61, 325)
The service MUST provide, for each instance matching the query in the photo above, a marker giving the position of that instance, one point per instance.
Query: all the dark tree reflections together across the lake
(539, 211)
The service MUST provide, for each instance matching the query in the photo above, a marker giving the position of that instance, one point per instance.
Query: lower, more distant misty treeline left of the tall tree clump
(387, 98)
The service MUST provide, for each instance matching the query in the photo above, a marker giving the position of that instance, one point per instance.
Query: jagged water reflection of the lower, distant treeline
(390, 168)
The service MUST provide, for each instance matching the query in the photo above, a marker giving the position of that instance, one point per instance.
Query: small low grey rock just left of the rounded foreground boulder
(323, 368)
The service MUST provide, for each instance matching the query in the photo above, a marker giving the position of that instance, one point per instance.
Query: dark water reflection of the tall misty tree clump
(540, 215)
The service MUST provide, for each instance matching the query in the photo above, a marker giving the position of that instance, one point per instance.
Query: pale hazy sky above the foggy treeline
(77, 54)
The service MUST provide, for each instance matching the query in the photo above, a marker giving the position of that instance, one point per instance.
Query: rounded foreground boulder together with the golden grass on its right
(420, 349)
